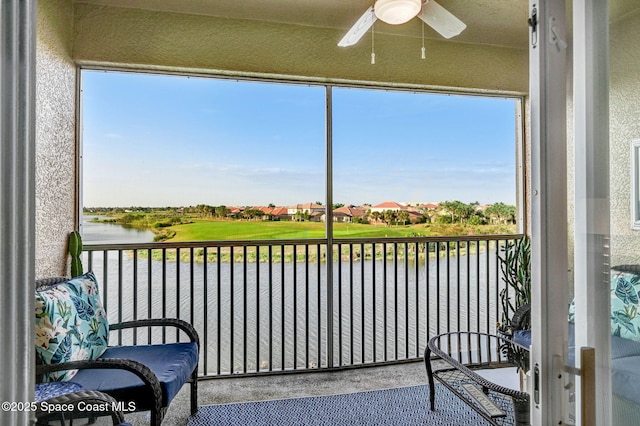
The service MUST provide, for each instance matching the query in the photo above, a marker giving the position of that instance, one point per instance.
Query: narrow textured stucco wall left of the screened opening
(55, 136)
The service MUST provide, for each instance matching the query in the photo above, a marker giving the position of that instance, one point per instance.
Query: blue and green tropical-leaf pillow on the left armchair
(71, 324)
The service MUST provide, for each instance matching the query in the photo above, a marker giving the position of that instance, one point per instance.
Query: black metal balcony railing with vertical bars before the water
(268, 306)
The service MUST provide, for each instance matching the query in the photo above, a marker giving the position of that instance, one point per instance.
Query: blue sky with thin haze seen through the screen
(157, 140)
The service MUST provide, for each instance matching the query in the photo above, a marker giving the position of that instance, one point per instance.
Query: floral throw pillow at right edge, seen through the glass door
(625, 297)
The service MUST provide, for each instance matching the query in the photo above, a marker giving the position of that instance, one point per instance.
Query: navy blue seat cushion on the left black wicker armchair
(172, 363)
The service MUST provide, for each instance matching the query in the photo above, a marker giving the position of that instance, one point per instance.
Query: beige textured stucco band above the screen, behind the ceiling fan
(148, 39)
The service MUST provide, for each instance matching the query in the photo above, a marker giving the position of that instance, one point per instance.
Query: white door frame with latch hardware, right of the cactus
(549, 230)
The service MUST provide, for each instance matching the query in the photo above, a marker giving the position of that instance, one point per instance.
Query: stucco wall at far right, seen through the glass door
(624, 126)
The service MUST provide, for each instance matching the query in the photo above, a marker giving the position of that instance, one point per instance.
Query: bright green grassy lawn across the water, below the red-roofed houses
(203, 230)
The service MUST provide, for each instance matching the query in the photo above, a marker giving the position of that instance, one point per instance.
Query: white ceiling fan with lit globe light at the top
(397, 12)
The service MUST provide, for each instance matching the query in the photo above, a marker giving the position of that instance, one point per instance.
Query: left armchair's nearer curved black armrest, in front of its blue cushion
(142, 371)
